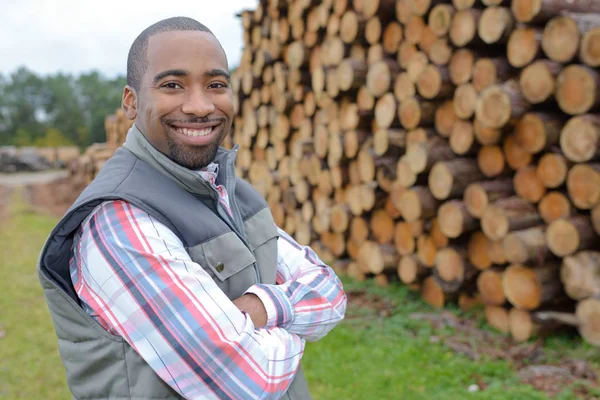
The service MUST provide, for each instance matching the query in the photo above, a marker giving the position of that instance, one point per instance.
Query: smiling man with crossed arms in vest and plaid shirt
(168, 278)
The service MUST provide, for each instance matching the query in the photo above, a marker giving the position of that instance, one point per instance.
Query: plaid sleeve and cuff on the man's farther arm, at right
(309, 299)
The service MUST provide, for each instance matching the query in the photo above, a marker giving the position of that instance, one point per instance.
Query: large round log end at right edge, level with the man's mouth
(580, 138)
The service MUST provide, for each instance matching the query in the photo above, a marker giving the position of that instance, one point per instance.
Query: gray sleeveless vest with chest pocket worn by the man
(236, 252)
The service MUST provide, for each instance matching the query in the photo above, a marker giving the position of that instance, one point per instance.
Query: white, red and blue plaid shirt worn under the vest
(135, 278)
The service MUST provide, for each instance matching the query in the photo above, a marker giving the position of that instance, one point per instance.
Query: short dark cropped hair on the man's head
(136, 59)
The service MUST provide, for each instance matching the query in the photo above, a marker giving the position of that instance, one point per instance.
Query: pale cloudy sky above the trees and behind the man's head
(75, 36)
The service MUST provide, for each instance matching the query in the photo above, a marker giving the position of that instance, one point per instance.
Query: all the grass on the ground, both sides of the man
(365, 357)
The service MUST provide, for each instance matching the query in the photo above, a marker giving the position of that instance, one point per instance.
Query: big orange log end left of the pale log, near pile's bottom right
(528, 288)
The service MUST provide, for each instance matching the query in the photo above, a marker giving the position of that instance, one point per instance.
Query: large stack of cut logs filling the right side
(453, 145)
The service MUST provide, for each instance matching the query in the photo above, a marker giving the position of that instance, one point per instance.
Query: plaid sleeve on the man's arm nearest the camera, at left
(135, 277)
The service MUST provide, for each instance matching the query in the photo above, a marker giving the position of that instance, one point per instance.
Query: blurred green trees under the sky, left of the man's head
(31, 105)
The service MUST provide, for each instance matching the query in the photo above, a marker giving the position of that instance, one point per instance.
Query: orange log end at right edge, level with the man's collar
(583, 185)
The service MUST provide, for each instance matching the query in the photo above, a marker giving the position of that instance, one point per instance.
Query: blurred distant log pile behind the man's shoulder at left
(83, 169)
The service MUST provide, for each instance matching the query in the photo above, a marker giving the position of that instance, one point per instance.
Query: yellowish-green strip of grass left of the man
(30, 367)
